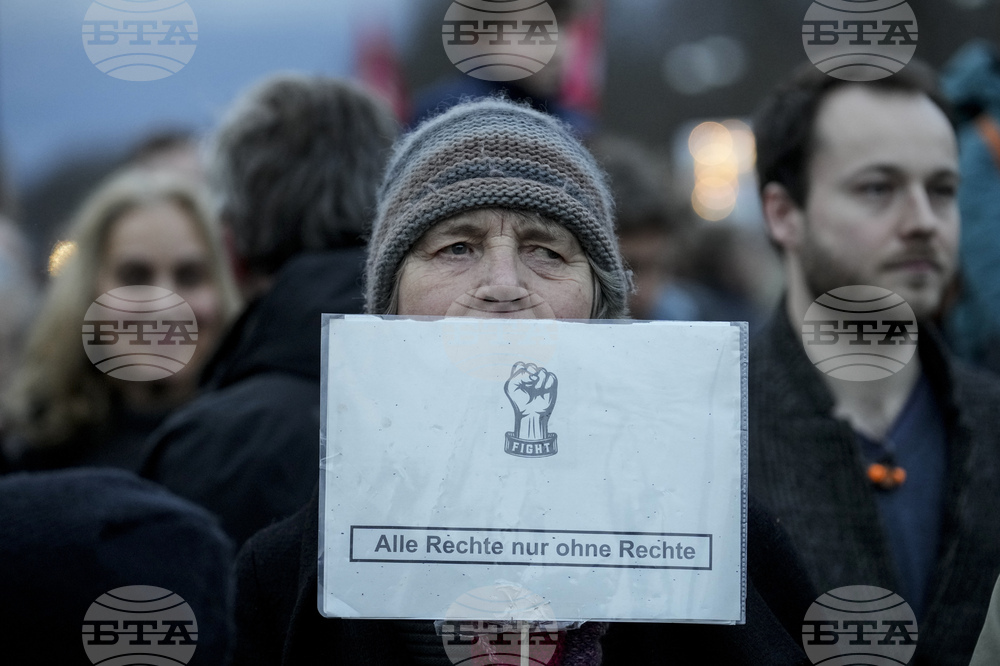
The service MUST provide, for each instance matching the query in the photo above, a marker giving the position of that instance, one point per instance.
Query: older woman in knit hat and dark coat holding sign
(494, 210)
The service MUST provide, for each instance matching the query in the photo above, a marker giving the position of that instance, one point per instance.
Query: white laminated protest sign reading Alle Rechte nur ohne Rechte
(599, 465)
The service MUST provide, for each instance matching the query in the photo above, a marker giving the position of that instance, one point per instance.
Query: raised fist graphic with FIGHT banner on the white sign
(532, 393)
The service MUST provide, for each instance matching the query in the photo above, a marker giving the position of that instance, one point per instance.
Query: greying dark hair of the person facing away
(296, 167)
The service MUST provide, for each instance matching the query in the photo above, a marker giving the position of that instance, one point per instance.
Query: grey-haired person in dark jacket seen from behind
(295, 171)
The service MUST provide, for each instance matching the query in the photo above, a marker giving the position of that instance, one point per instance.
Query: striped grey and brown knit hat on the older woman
(492, 153)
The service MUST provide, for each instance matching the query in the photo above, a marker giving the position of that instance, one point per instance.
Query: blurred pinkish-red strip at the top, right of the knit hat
(583, 76)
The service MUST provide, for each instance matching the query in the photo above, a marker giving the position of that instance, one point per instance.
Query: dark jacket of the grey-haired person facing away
(248, 447)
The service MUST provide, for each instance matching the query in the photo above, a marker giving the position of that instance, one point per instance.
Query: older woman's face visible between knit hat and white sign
(491, 263)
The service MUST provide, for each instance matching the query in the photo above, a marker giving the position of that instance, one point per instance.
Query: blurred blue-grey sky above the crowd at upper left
(55, 103)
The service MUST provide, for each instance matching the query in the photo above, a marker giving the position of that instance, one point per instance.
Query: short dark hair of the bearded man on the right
(784, 124)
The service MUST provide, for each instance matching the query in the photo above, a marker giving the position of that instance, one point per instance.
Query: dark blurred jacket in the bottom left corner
(68, 537)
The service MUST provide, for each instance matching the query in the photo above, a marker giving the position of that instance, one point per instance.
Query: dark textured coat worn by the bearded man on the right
(806, 466)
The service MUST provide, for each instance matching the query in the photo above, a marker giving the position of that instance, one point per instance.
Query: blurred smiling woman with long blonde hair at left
(140, 227)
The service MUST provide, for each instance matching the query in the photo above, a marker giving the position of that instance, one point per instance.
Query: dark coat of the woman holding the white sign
(278, 622)
